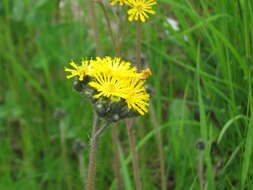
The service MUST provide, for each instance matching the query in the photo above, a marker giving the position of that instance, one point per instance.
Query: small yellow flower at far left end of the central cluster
(79, 71)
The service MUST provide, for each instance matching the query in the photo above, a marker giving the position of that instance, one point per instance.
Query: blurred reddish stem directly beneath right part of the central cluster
(135, 159)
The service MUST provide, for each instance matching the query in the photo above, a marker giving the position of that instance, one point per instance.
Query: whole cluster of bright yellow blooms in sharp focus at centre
(112, 77)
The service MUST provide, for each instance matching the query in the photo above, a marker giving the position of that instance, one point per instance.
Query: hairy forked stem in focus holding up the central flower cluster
(90, 185)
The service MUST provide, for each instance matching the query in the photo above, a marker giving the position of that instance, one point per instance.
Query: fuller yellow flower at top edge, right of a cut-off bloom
(139, 9)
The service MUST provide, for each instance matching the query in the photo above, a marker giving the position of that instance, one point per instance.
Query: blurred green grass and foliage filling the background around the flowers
(202, 91)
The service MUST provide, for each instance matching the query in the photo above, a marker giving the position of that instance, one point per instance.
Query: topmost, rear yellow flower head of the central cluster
(113, 67)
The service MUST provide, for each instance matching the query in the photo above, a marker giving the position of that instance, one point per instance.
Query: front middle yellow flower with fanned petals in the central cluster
(107, 86)
